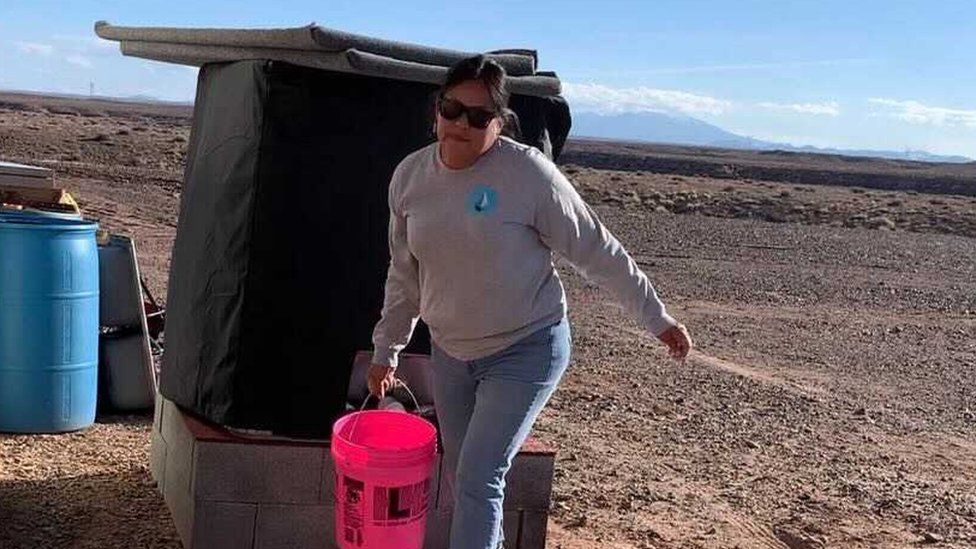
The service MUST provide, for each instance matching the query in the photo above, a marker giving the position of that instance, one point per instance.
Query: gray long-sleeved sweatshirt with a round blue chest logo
(472, 253)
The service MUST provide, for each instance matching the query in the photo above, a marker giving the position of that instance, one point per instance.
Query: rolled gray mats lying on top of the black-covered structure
(322, 48)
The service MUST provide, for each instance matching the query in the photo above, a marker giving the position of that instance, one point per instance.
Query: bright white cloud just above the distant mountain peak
(609, 100)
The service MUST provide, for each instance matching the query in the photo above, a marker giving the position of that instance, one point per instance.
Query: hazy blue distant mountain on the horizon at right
(662, 127)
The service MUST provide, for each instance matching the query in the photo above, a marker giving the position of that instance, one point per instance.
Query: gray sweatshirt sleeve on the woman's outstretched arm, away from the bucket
(567, 225)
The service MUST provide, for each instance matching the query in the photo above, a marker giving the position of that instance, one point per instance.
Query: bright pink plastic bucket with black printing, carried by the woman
(383, 463)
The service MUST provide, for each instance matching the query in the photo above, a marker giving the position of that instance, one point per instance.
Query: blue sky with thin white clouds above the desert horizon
(892, 75)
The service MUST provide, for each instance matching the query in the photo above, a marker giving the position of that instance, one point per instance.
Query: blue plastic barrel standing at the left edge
(48, 323)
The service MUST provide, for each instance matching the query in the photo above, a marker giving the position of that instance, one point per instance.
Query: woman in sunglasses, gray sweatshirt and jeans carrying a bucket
(474, 220)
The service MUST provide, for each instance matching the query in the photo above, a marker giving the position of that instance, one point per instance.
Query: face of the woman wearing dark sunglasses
(460, 140)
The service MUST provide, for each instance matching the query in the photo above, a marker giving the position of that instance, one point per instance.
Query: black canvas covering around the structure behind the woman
(281, 250)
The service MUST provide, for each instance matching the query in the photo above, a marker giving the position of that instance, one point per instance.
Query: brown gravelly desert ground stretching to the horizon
(831, 400)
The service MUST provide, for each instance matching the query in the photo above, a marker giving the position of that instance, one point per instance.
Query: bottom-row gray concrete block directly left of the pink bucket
(294, 526)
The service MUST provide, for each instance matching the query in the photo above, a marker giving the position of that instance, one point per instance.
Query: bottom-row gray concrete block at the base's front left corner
(223, 525)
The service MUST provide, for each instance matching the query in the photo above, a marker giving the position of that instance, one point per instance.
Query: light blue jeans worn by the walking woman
(485, 409)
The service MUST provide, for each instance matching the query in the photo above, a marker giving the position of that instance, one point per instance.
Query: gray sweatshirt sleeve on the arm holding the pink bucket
(401, 303)
